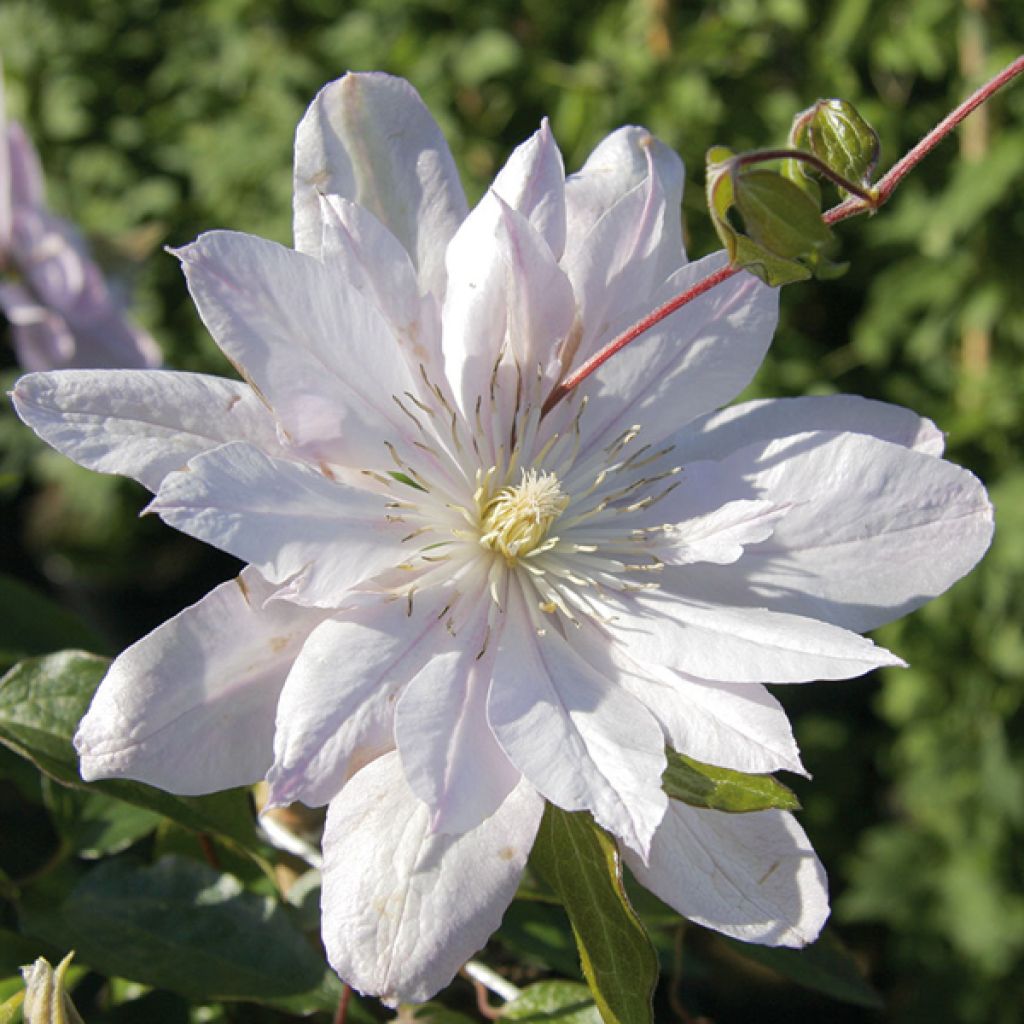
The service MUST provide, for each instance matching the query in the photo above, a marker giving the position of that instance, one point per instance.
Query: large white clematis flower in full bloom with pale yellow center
(456, 609)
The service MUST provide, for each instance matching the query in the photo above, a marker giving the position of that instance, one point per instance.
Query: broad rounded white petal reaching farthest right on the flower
(876, 530)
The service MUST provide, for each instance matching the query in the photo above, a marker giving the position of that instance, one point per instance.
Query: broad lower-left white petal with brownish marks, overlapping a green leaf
(190, 708)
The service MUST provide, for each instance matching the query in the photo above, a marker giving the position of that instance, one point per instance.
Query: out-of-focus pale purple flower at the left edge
(62, 312)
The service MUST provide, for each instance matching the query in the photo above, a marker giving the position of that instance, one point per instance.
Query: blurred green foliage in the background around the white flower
(159, 120)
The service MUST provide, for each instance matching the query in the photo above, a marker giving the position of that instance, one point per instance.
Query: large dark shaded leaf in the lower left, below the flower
(182, 926)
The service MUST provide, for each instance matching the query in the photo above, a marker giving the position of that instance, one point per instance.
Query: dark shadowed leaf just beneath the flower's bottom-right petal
(827, 967)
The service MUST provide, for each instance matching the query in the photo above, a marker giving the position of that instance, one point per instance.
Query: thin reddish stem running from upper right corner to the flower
(849, 208)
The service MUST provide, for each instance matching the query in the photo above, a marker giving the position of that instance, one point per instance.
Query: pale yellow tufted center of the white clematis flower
(516, 521)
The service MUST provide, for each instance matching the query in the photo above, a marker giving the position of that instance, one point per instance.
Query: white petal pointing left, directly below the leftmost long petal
(297, 526)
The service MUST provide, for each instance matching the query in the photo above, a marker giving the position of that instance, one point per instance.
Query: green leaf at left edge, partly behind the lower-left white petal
(42, 701)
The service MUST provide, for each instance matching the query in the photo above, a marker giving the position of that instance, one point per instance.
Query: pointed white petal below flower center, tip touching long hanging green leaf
(580, 739)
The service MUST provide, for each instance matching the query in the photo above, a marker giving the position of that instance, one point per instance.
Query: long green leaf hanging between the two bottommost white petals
(581, 863)
